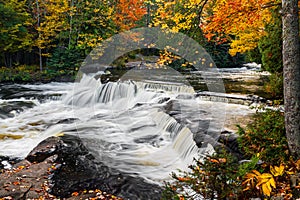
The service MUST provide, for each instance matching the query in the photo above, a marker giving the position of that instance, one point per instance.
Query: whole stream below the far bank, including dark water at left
(145, 128)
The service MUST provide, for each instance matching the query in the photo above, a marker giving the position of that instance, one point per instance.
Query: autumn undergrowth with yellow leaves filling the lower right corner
(269, 173)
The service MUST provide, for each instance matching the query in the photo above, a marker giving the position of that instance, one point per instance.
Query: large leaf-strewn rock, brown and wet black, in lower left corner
(66, 166)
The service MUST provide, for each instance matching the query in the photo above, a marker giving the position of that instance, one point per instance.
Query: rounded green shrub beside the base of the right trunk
(266, 136)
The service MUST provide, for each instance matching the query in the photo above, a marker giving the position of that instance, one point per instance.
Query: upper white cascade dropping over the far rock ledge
(91, 91)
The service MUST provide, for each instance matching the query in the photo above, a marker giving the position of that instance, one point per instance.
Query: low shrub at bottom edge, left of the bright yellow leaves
(217, 176)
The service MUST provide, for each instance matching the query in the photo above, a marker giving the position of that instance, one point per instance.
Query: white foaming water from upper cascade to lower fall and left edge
(122, 123)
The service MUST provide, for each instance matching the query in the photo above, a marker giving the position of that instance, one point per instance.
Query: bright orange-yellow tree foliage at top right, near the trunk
(240, 21)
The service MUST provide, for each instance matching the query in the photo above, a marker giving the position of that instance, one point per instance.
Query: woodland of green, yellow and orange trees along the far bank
(56, 35)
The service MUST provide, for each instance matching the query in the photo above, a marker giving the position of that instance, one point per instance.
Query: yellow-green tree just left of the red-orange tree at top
(91, 23)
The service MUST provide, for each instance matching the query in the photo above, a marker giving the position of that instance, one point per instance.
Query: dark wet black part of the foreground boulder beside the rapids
(77, 169)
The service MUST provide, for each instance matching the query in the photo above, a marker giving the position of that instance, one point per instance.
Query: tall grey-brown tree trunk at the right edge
(291, 73)
